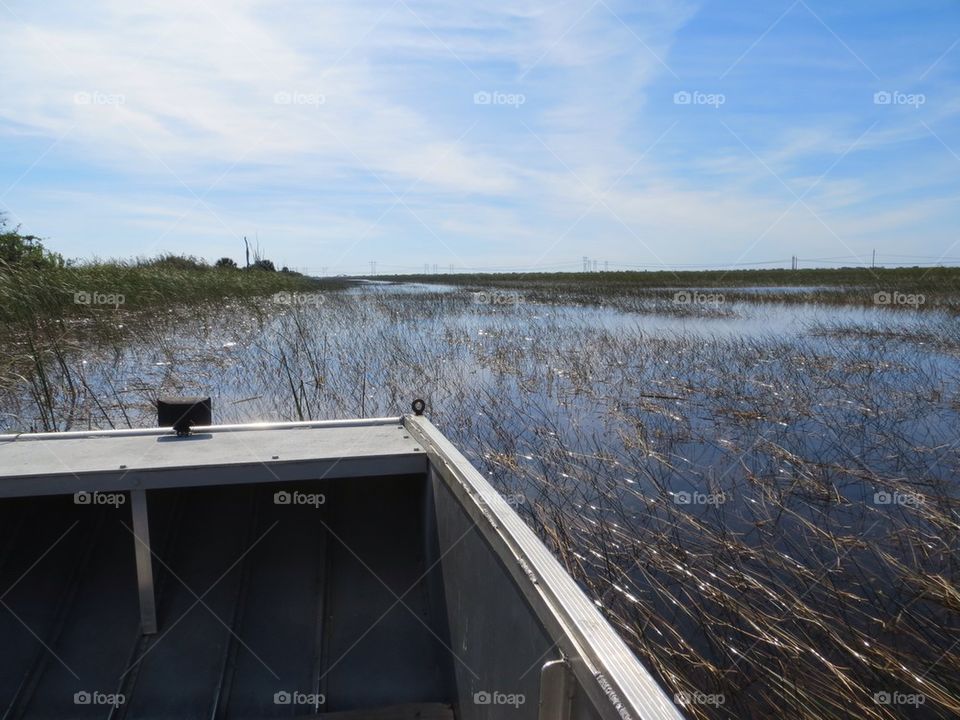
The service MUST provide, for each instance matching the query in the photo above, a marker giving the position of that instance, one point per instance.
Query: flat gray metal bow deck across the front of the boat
(62, 462)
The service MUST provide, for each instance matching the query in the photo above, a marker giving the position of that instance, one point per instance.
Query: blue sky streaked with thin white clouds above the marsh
(516, 135)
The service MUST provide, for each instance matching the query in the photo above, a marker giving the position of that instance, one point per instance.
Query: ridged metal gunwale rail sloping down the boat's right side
(621, 687)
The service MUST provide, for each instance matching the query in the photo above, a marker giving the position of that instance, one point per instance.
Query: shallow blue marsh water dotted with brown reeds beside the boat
(763, 497)
